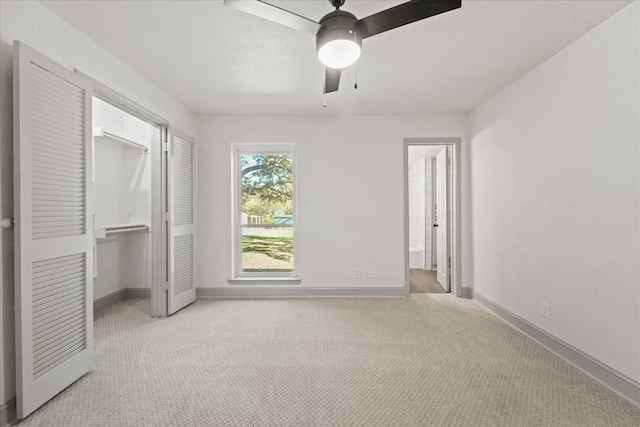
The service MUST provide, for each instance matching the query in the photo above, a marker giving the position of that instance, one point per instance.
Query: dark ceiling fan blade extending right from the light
(406, 13)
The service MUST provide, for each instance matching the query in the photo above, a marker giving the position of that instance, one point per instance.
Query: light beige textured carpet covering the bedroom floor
(426, 360)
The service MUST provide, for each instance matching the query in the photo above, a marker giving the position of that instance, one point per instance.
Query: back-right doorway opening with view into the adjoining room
(431, 216)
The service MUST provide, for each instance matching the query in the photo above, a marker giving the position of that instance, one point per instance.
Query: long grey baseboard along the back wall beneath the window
(261, 292)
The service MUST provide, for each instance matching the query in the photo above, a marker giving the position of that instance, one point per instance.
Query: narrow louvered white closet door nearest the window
(182, 289)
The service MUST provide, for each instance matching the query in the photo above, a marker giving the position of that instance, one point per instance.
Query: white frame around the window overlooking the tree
(236, 191)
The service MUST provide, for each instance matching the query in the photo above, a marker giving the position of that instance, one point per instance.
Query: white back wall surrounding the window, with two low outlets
(350, 192)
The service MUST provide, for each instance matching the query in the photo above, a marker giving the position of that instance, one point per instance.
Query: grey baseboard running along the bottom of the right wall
(609, 377)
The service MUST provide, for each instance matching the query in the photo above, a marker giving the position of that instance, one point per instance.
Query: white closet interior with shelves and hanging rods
(122, 179)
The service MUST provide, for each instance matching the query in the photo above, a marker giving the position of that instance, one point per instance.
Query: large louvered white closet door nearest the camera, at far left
(54, 287)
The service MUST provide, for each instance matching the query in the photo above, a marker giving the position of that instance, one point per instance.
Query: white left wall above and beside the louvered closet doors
(40, 29)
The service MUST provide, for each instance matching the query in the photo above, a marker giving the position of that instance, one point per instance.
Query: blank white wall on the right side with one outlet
(556, 193)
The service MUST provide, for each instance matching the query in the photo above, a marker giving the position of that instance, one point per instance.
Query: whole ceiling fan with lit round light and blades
(339, 34)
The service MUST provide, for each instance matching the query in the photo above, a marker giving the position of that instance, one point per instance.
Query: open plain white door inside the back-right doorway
(442, 272)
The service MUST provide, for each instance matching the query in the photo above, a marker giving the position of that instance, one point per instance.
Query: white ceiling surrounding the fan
(217, 60)
